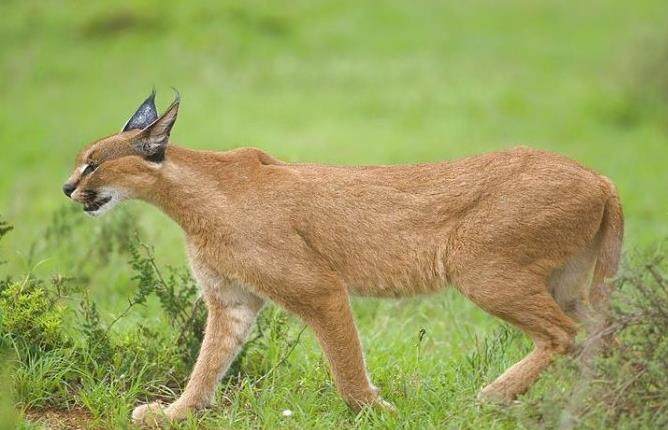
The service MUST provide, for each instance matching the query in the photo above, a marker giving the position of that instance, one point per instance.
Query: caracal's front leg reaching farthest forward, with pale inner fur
(231, 312)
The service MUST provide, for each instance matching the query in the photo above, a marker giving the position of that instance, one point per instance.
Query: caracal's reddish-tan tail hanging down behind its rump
(610, 236)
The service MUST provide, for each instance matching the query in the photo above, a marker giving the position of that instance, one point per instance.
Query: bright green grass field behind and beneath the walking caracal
(344, 82)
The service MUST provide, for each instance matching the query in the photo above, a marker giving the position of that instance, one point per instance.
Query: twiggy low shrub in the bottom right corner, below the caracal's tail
(623, 384)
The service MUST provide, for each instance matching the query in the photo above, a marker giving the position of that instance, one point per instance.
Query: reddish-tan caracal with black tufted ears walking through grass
(527, 235)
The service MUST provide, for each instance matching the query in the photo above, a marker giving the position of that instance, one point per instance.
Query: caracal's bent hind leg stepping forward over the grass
(526, 303)
